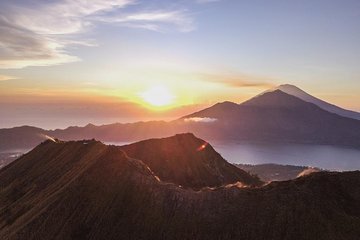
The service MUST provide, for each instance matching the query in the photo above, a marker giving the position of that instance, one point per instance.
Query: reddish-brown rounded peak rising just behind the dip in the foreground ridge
(188, 161)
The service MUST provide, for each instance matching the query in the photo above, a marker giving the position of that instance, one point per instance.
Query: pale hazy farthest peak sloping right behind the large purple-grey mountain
(297, 92)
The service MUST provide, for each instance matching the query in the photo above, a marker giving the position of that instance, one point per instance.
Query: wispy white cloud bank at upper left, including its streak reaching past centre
(38, 33)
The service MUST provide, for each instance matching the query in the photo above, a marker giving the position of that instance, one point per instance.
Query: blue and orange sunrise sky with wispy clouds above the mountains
(66, 62)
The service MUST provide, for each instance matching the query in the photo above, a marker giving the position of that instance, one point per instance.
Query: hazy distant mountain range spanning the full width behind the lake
(225, 121)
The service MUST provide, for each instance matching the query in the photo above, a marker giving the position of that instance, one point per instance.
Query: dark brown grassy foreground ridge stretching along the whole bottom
(88, 190)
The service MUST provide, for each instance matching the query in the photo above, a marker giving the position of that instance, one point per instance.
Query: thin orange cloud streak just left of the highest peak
(239, 80)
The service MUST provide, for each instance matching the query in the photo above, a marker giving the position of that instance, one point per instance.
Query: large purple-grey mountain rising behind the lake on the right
(279, 117)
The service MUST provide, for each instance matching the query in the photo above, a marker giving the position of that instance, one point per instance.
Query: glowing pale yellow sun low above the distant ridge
(158, 96)
